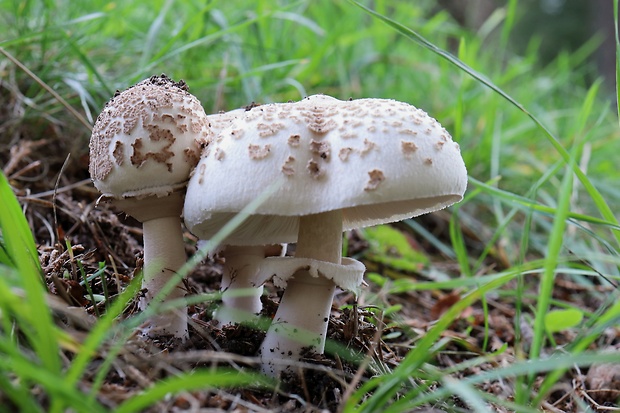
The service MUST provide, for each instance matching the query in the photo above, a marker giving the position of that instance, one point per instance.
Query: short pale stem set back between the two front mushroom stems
(240, 295)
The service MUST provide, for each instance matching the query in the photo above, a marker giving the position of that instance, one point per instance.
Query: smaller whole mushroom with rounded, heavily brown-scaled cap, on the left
(143, 146)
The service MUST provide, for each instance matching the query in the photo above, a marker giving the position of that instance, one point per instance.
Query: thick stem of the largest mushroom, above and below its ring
(303, 314)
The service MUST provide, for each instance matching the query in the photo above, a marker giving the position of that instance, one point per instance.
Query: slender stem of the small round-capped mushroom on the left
(164, 255)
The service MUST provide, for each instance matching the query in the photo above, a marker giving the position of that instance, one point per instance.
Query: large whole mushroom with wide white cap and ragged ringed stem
(344, 165)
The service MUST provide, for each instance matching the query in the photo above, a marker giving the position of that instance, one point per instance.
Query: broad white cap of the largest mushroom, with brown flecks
(377, 160)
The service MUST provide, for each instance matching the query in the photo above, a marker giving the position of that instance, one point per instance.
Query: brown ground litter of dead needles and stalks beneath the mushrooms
(75, 236)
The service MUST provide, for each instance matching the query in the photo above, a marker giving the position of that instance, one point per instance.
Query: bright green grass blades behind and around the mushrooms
(536, 140)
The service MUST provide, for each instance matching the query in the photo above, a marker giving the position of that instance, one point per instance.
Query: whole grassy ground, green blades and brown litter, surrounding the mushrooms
(456, 316)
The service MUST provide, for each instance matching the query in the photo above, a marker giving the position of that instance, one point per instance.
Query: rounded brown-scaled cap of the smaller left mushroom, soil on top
(147, 139)
